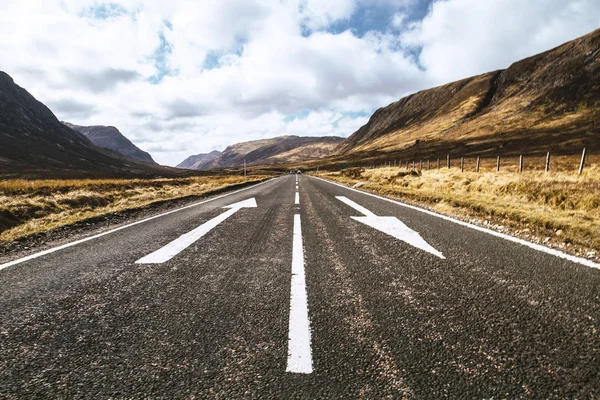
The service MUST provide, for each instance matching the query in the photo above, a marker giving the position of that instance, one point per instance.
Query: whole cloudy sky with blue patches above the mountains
(183, 77)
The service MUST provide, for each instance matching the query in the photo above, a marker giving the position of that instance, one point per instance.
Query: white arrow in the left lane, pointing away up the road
(184, 241)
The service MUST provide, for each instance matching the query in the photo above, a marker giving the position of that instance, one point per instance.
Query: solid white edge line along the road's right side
(543, 249)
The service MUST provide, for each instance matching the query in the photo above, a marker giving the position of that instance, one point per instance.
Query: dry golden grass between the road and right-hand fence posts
(559, 208)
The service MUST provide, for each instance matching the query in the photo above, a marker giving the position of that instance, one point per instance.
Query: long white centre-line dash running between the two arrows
(299, 352)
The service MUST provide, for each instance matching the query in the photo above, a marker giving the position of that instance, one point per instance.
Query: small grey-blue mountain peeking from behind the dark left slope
(109, 137)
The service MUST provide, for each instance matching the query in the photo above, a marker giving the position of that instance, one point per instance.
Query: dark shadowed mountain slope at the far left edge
(35, 144)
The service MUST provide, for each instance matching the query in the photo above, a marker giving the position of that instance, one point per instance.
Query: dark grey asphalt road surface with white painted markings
(413, 306)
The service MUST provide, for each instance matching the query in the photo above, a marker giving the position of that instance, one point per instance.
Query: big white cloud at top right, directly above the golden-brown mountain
(460, 38)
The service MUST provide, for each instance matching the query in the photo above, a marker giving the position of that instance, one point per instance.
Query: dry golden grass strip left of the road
(32, 206)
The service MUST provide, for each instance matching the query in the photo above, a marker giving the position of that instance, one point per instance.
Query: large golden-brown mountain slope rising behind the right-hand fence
(548, 102)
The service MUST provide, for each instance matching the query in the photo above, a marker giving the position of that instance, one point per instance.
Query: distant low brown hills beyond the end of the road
(278, 150)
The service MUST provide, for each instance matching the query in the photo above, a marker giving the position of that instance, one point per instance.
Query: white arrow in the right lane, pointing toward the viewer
(391, 226)
